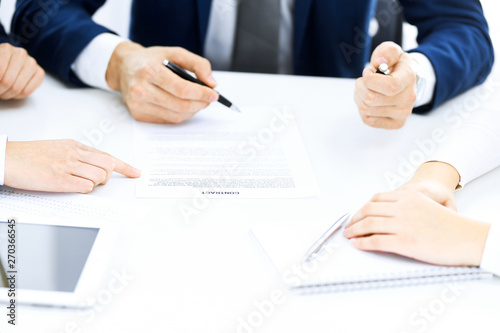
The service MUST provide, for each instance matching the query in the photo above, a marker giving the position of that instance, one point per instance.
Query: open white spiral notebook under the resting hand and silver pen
(341, 267)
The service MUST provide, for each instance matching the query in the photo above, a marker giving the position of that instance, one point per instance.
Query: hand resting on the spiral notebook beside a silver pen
(410, 224)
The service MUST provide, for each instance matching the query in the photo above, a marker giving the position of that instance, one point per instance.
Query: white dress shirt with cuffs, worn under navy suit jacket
(91, 64)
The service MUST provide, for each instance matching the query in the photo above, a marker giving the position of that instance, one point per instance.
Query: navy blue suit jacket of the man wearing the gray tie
(330, 36)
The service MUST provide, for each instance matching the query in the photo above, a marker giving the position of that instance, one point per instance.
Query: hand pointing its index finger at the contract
(60, 166)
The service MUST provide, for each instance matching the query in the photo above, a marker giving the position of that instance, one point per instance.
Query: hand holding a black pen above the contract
(151, 91)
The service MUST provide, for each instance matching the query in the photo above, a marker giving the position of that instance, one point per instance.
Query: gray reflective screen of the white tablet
(48, 257)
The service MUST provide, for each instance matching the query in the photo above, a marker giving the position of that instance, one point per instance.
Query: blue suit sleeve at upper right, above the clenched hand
(454, 36)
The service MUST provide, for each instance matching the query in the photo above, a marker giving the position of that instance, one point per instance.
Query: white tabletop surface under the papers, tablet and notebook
(207, 275)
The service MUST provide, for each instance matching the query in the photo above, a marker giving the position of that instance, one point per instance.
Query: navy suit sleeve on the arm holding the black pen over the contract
(55, 32)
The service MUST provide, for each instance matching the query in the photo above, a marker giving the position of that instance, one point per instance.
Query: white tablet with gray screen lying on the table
(54, 263)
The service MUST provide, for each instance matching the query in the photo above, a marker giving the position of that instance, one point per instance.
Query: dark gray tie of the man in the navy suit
(256, 43)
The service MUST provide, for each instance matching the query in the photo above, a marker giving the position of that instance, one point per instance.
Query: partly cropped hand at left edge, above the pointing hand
(20, 74)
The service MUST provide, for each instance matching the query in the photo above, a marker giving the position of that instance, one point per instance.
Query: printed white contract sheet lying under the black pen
(224, 154)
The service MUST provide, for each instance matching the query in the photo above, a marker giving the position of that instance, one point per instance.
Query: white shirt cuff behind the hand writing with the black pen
(92, 63)
